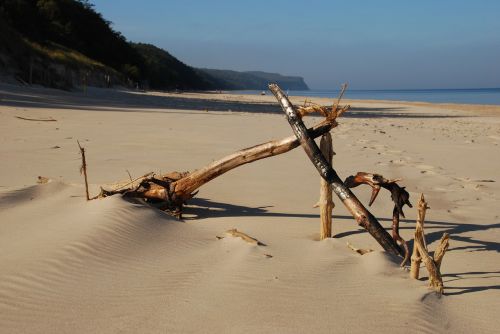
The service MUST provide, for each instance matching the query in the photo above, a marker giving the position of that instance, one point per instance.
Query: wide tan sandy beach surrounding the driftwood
(115, 265)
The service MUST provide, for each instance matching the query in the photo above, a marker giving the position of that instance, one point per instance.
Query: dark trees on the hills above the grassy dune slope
(76, 25)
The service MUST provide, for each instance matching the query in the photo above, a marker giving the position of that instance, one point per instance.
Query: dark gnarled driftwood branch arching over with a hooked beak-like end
(399, 196)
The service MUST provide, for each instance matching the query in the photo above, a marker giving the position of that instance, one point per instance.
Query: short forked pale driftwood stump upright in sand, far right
(421, 254)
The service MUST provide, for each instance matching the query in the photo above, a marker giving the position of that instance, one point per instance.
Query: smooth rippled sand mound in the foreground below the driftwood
(114, 266)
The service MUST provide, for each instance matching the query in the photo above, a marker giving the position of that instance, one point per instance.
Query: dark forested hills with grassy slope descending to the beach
(66, 43)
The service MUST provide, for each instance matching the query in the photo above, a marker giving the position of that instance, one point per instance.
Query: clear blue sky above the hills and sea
(399, 44)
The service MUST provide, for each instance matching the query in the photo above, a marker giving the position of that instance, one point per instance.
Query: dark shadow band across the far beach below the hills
(129, 101)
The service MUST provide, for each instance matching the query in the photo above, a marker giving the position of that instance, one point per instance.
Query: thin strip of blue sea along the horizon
(468, 96)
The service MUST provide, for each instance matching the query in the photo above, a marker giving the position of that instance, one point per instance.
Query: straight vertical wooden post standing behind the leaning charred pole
(325, 198)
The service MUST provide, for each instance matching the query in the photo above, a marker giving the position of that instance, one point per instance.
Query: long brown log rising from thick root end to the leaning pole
(171, 191)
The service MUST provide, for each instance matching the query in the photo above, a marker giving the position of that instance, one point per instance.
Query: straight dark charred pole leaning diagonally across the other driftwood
(363, 217)
